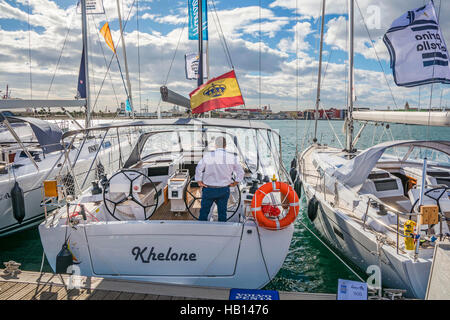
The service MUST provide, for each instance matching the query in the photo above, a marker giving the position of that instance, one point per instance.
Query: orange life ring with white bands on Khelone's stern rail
(275, 223)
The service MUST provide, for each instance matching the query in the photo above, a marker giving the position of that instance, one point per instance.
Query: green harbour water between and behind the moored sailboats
(309, 266)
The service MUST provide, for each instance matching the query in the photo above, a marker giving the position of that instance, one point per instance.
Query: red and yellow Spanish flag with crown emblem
(217, 93)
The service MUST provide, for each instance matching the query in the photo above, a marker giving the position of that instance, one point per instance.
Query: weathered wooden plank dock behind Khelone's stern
(30, 285)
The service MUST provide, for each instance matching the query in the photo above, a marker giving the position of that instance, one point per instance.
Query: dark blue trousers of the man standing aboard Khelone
(220, 197)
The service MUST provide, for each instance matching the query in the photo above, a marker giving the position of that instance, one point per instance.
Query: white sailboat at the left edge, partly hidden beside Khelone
(27, 160)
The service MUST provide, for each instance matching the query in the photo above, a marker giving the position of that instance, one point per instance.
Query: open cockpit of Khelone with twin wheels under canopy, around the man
(157, 181)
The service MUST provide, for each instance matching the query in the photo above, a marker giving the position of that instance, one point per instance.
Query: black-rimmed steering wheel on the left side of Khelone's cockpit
(117, 198)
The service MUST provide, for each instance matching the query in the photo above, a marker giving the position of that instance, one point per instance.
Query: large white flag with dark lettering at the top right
(417, 48)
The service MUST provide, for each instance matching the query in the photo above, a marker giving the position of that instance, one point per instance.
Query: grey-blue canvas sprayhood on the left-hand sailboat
(48, 134)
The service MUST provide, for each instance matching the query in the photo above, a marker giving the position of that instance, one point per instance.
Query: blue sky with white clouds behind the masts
(273, 44)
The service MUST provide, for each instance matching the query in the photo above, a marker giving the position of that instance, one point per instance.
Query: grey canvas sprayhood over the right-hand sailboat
(355, 172)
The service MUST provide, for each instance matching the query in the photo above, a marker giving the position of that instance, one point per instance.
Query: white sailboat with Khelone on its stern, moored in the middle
(143, 224)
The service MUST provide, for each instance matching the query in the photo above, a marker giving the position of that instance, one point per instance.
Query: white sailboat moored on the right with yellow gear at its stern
(372, 205)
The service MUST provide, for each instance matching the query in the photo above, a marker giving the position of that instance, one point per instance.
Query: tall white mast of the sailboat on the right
(349, 120)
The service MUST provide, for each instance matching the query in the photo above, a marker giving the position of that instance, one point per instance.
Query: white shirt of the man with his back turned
(217, 167)
